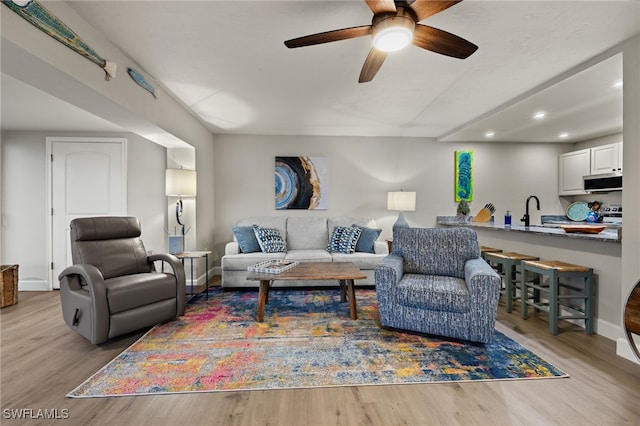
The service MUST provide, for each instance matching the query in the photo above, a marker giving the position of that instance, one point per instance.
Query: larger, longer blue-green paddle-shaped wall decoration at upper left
(45, 21)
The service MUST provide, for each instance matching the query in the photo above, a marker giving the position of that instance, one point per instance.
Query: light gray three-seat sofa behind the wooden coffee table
(306, 240)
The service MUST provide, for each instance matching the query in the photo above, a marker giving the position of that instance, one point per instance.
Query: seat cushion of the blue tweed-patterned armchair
(434, 292)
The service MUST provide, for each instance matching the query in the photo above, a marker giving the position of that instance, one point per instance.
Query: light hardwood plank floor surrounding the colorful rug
(42, 360)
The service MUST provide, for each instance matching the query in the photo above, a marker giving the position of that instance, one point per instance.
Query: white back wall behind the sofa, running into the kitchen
(363, 170)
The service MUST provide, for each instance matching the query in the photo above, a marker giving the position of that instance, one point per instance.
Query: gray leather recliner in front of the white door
(113, 287)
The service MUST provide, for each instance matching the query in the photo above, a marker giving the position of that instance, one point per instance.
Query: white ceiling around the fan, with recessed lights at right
(226, 60)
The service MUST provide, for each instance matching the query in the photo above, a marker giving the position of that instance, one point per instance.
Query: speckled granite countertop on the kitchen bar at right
(611, 234)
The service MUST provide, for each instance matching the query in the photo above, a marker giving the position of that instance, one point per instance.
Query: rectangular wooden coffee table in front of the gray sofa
(344, 272)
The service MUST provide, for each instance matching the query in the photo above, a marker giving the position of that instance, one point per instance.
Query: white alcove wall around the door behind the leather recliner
(24, 199)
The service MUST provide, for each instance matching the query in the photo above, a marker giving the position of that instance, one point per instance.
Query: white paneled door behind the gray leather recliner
(87, 179)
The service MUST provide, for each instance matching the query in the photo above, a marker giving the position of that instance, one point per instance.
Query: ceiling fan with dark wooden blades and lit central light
(396, 23)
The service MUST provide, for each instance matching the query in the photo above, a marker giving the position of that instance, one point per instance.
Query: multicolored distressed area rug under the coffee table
(307, 340)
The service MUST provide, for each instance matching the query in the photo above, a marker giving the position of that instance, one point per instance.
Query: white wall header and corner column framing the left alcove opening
(33, 57)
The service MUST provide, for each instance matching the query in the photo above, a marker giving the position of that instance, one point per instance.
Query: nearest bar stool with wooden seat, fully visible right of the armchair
(559, 301)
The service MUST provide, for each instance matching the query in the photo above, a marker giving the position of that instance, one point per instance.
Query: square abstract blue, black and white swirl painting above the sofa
(301, 183)
